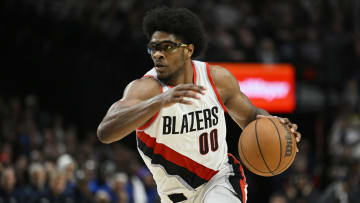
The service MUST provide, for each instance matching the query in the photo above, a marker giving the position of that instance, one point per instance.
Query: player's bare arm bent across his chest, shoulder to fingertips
(141, 100)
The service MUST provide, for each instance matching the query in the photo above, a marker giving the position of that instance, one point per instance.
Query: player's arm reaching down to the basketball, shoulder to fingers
(239, 107)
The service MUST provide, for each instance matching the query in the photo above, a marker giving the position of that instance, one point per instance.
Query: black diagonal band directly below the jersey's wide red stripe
(171, 168)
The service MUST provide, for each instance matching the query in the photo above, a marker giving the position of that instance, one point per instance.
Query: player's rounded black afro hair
(179, 21)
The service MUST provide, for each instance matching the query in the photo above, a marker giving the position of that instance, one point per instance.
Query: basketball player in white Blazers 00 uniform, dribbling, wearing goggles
(177, 109)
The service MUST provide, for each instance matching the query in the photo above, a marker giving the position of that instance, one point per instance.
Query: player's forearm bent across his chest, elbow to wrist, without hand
(121, 121)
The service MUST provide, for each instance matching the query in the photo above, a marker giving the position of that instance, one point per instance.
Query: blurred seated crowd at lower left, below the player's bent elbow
(42, 159)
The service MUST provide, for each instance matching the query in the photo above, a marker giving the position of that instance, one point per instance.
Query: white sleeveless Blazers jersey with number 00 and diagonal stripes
(184, 146)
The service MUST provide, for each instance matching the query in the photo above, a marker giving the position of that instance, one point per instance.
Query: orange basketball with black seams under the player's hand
(266, 147)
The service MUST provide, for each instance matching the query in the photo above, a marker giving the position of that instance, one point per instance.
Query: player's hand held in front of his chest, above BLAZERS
(179, 93)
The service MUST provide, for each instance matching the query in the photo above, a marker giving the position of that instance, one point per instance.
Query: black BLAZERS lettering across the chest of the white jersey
(190, 122)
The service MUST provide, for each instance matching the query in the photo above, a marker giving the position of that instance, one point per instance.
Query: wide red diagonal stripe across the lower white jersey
(175, 157)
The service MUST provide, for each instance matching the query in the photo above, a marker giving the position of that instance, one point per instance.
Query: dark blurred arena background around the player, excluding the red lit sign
(65, 62)
